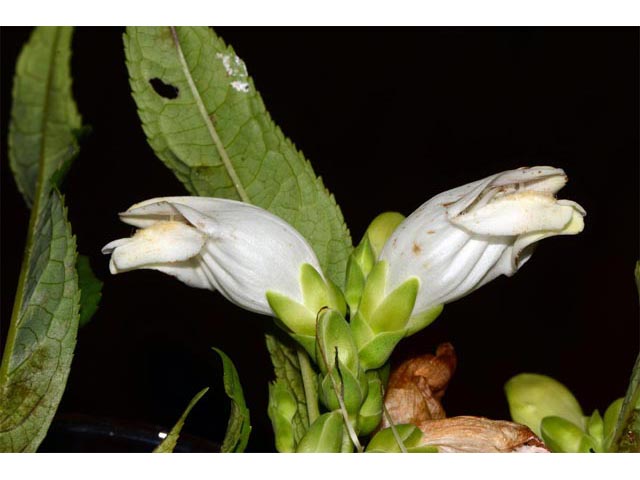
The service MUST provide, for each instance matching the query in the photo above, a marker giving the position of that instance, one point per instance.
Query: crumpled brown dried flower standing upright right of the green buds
(415, 388)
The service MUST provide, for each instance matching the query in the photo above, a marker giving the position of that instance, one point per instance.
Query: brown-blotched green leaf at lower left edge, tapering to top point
(42, 333)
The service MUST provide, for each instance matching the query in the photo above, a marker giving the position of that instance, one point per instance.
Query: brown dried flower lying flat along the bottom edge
(480, 435)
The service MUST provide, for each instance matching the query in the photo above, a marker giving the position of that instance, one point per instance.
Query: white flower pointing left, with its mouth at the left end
(238, 249)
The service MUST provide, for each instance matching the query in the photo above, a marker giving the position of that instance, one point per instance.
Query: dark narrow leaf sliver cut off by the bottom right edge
(626, 437)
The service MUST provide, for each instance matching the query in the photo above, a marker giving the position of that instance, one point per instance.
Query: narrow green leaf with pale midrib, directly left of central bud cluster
(289, 378)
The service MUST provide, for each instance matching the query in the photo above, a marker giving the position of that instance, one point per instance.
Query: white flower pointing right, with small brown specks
(465, 237)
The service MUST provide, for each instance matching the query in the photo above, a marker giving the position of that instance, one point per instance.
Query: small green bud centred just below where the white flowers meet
(334, 335)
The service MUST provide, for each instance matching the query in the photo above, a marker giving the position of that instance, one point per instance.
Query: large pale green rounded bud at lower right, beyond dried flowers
(533, 397)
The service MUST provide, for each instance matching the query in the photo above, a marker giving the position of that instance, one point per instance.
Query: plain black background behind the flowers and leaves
(389, 118)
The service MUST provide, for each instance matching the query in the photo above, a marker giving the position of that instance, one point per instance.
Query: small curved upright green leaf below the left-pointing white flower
(239, 426)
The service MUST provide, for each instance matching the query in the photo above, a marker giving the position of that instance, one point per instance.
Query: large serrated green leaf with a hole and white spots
(205, 120)
